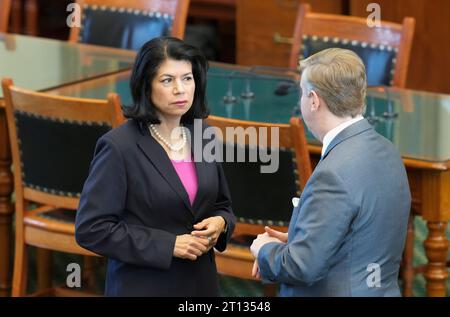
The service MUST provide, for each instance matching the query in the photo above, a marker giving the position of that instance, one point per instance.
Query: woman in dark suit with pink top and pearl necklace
(147, 206)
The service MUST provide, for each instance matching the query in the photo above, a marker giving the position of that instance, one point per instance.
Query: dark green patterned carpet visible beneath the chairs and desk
(233, 287)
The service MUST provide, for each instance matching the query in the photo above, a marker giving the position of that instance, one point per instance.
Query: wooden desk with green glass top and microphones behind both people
(420, 131)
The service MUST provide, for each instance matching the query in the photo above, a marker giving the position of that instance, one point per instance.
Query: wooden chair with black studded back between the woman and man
(260, 199)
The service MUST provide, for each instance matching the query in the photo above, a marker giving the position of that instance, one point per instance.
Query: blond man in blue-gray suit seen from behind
(347, 233)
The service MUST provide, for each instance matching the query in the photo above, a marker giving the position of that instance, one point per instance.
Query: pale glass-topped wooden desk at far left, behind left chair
(41, 64)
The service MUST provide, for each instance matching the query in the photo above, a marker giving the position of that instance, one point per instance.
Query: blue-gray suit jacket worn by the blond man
(347, 234)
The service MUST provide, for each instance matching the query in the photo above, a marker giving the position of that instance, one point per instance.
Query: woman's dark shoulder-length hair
(148, 60)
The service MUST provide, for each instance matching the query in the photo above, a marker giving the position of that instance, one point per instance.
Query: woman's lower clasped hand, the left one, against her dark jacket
(190, 247)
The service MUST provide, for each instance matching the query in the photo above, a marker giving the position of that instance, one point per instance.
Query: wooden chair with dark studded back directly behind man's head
(385, 49)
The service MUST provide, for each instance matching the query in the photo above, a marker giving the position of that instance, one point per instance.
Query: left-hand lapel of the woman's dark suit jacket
(156, 154)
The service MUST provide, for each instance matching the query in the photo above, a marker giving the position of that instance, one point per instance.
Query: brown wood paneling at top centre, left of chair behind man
(257, 21)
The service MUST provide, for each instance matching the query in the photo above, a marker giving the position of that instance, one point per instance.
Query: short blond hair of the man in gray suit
(338, 76)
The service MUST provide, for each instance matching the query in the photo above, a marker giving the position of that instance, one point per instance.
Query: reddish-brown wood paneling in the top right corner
(429, 63)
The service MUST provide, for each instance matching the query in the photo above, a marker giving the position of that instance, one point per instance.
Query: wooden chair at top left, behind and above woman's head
(128, 24)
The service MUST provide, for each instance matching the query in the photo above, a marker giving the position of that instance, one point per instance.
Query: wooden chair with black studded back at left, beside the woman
(52, 140)
